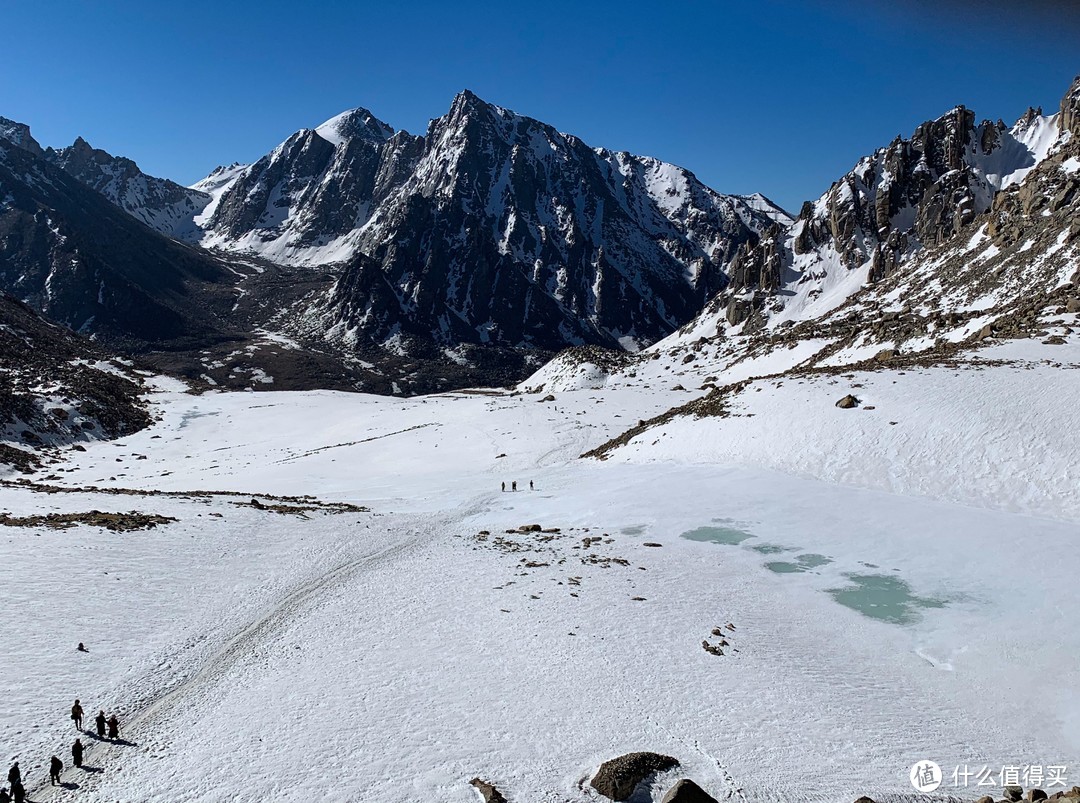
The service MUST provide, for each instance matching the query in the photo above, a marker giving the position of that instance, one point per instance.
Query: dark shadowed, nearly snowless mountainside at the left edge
(75, 256)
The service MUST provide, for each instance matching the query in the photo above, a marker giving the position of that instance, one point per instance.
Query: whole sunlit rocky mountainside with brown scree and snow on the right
(935, 247)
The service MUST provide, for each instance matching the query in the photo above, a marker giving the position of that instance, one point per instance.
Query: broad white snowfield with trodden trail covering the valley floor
(391, 656)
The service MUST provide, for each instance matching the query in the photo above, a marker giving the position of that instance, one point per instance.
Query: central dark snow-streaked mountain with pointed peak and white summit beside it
(491, 229)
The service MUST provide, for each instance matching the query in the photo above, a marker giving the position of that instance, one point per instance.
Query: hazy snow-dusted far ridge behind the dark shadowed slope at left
(161, 205)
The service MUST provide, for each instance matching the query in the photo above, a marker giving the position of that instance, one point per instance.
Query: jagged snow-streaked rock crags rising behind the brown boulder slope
(914, 195)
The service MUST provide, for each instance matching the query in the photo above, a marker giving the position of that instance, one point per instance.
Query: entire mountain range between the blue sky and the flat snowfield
(355, 256)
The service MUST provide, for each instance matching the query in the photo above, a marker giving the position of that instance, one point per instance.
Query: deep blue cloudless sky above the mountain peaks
(774, 96)
